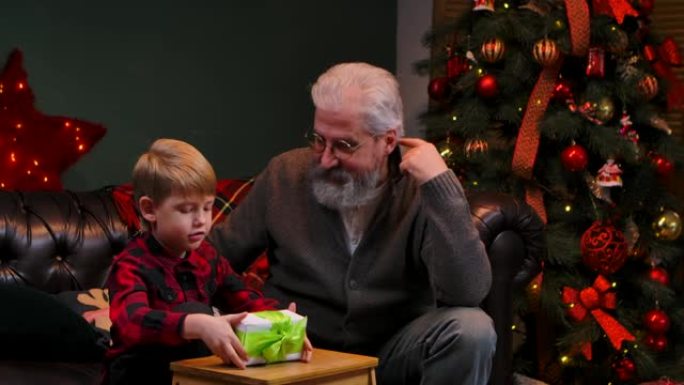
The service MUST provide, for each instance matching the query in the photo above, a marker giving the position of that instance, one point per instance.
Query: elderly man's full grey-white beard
(338, 189)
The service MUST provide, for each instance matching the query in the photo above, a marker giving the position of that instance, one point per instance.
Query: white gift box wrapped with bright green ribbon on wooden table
(272, 336)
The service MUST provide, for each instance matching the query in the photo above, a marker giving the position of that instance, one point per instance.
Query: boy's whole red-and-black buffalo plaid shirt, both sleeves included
(146, 284)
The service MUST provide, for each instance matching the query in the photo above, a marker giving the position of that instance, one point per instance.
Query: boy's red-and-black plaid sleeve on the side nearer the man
(235, 295)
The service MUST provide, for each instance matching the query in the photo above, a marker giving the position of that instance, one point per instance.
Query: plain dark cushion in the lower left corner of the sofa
(36, 326)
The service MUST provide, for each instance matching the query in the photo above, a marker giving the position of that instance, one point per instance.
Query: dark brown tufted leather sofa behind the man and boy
(65, 241)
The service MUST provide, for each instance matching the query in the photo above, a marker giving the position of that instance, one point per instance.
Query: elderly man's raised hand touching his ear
(421, 159)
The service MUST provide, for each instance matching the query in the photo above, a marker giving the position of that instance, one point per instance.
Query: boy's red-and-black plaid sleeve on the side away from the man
(134, 322)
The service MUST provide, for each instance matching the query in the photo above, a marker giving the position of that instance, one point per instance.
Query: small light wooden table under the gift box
(326, 367)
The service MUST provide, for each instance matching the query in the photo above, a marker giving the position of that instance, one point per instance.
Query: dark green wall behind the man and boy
(231, 77)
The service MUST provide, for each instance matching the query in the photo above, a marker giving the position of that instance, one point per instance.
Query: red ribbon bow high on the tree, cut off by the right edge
(663, 58)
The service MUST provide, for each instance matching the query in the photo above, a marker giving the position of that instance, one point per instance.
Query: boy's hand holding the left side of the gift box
(217, 333)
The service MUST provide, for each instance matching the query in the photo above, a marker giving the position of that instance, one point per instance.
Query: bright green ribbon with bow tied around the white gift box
(283, 338)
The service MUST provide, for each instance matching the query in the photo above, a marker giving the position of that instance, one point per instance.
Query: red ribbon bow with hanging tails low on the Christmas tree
(592, 300)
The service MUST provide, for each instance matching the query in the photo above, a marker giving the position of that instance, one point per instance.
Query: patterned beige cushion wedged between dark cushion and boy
(93, 306)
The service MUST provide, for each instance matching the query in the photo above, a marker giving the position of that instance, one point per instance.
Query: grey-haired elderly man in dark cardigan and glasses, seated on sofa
(375, 247)
